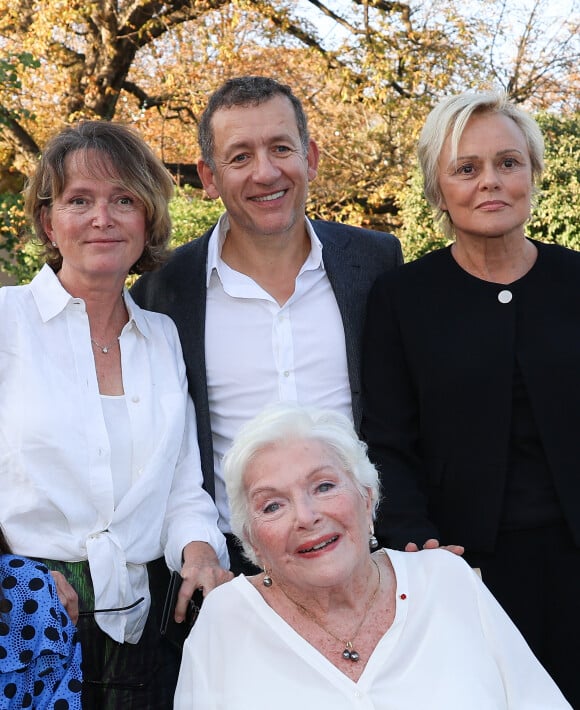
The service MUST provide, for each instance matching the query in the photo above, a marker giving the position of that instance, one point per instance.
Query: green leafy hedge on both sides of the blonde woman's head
(555, 215)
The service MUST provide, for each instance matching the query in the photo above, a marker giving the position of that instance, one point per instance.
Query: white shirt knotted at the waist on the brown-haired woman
(57, 496)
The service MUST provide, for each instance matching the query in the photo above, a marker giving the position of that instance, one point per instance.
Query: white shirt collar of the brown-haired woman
(52, 298)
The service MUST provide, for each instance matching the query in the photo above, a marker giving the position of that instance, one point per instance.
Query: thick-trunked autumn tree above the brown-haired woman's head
(86, 51)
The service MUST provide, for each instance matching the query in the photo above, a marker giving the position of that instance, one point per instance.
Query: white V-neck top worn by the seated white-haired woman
(451, 647)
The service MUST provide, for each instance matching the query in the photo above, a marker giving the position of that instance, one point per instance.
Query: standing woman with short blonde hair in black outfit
(471, 386)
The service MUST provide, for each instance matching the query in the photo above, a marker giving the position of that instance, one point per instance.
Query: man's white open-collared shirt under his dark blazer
(258, 352)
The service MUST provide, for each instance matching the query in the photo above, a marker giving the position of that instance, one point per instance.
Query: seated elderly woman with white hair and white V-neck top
(330, 623)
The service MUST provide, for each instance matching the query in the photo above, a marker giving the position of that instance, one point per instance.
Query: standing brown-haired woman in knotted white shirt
(99, 458)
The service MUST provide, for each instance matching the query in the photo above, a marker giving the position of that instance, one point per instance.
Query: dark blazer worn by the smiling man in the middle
(353, 258)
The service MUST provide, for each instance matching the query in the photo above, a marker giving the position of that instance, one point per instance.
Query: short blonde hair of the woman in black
(449, 118)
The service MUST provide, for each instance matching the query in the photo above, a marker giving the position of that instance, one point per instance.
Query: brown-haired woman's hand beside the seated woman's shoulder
(201, 570)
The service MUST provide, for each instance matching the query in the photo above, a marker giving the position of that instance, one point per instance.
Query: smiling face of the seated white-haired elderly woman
(309, 522)
